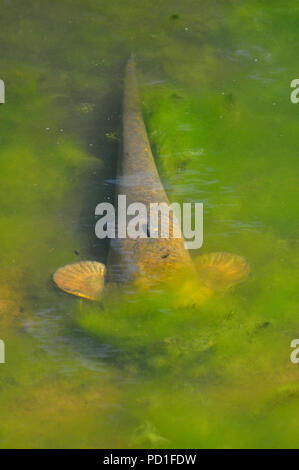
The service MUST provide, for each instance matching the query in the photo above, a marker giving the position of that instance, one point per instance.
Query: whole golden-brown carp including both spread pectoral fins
(150, 260)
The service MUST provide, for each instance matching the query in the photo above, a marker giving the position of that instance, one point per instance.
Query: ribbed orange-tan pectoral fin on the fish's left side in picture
(84, 279)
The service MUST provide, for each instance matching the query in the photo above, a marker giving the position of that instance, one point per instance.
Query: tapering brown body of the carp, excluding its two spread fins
(145, 259)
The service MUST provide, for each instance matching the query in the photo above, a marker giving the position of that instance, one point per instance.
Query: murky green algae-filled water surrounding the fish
(147, 370)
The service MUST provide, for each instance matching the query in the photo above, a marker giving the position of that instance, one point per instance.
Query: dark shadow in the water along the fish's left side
(102, 136)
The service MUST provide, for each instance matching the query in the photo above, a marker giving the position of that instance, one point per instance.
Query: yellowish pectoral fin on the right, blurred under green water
(221, 270)
